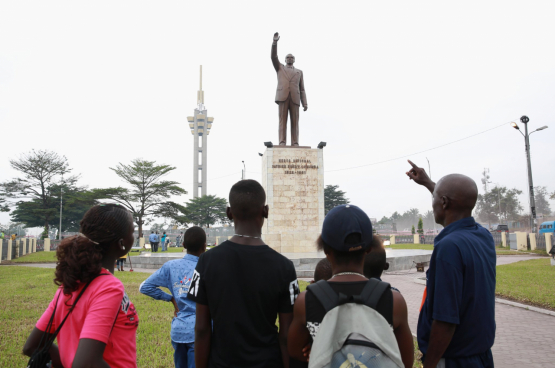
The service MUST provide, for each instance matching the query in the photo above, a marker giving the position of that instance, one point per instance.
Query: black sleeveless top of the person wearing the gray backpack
(315, 312)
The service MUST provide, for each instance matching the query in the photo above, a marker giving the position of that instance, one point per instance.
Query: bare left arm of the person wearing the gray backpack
(298, 337)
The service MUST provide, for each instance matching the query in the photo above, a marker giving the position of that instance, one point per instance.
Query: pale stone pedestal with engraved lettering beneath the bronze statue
(293, 178)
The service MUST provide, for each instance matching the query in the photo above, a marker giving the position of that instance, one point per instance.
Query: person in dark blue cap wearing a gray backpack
(350, 321)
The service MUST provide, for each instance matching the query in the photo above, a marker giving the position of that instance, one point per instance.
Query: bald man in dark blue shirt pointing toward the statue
(456, 326)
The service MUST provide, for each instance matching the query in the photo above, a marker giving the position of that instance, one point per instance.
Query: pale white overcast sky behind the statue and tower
(109, 81)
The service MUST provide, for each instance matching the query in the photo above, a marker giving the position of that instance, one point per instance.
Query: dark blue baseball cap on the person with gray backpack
(343, 221)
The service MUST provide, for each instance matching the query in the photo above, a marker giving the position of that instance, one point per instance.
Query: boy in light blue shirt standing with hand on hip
(176, 276)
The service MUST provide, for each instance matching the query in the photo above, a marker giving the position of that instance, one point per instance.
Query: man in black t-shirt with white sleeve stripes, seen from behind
(242, 285)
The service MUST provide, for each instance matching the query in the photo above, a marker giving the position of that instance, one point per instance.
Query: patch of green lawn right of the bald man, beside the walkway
(530, 282)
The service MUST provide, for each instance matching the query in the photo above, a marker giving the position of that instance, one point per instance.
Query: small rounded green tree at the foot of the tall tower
(207, 210)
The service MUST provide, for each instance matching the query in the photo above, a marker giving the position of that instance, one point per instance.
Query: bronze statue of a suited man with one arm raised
(289, 94)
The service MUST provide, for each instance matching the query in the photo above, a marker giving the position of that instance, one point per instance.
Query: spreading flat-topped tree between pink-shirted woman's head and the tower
(146, 193)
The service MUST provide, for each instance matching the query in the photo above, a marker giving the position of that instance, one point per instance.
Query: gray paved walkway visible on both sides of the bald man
(523, 338)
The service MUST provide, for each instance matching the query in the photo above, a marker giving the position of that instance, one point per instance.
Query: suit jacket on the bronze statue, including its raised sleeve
(290, 81)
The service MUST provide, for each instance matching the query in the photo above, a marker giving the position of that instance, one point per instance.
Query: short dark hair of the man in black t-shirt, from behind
(246, 198)
